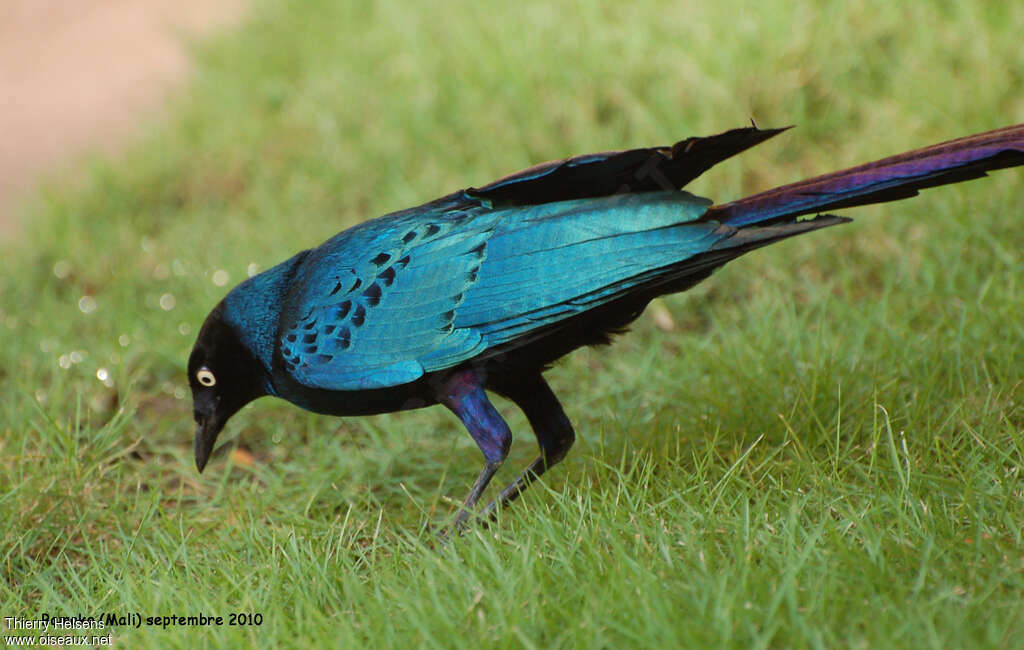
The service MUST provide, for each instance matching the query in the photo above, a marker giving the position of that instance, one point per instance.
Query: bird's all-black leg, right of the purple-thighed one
(553, 430)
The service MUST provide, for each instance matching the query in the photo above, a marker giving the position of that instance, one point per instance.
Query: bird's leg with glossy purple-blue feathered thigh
(463, 395)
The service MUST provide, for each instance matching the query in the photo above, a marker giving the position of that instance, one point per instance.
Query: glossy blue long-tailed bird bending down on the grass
(482, 291)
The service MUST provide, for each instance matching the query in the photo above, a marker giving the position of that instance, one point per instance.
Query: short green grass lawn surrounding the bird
(826, 452)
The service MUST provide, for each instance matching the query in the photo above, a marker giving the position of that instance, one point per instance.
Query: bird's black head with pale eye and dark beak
(225, 377)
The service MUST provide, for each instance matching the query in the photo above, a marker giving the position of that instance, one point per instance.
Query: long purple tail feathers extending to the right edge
(889, 180)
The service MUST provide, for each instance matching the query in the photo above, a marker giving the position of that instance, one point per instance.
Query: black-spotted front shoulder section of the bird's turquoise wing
(375, 301)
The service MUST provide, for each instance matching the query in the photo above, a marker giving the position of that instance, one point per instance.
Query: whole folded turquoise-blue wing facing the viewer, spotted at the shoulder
(385, 305)
